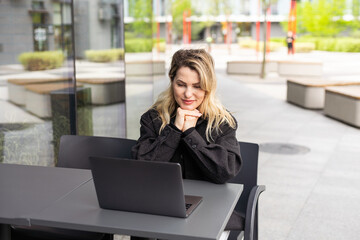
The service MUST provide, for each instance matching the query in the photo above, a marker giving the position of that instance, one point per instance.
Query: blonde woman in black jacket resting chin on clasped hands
(188, 125)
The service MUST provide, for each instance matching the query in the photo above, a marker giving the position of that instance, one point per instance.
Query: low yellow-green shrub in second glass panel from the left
(107, 55)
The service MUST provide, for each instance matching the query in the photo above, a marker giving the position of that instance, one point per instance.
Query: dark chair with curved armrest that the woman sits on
(248, 202)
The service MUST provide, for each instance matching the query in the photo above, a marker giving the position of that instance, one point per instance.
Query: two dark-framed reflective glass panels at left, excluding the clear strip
(62, 71)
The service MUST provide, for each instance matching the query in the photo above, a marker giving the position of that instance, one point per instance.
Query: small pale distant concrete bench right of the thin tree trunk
(300, 68)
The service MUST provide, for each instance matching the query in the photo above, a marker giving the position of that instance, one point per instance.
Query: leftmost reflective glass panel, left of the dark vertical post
(36, 63)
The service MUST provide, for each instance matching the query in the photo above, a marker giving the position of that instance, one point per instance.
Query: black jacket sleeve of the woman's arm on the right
(219, 161)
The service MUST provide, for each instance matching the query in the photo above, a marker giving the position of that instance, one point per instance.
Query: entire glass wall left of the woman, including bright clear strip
(62, 70)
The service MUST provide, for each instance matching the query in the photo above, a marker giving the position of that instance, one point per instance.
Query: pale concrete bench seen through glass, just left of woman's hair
(141, 68)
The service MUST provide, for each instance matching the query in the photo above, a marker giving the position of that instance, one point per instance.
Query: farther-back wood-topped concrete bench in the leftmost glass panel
(16, 87)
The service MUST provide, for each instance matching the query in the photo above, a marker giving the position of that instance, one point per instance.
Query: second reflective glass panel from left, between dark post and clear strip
(100, 67)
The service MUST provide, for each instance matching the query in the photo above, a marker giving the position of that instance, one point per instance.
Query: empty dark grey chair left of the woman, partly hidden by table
(74, 152)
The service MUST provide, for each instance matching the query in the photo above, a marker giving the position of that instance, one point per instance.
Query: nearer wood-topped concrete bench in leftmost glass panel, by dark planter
(38, 100)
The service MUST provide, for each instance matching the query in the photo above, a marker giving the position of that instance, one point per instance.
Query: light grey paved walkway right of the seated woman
(311, 195)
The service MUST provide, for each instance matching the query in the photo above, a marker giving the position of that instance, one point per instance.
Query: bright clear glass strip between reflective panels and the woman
(144, 55)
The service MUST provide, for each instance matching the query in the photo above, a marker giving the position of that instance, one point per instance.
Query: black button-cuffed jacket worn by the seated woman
(217, 161)
